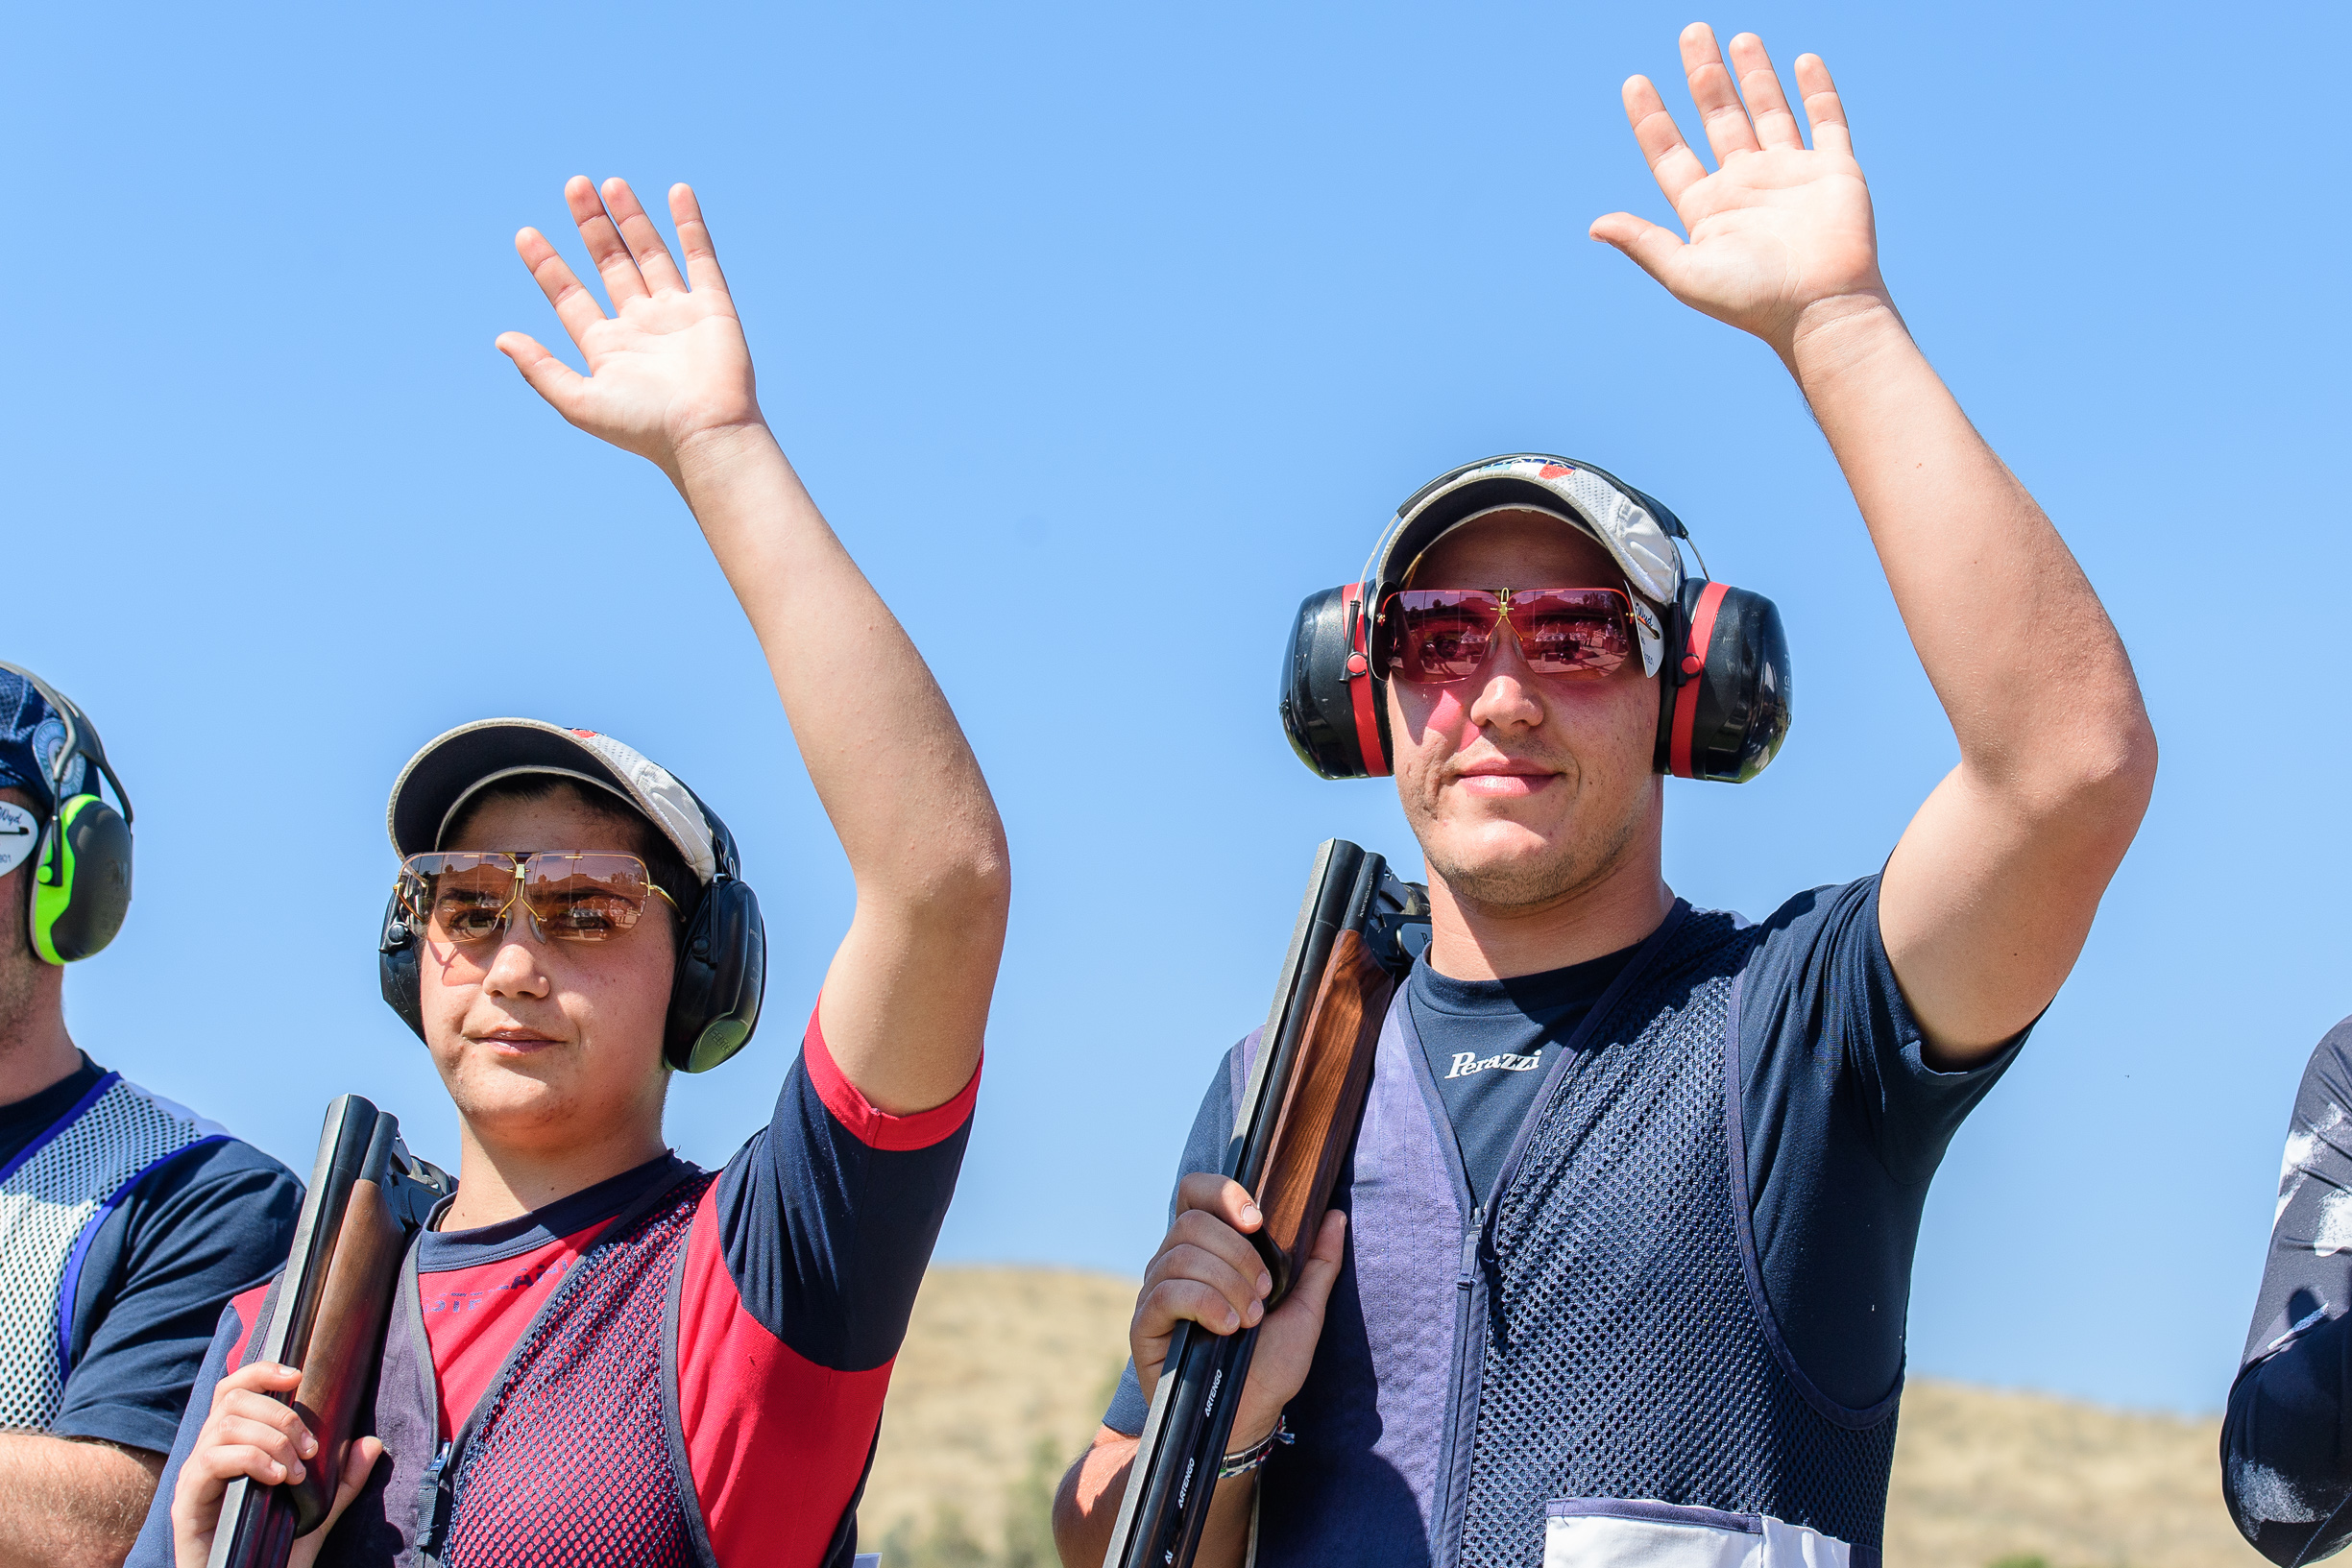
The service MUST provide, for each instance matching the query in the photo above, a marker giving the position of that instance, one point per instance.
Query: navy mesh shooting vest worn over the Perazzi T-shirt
(1617, 1388)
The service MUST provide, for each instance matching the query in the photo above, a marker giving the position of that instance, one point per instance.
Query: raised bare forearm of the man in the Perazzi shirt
(2010, 631)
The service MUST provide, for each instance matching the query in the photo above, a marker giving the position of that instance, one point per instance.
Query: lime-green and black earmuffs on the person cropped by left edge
(81, 883)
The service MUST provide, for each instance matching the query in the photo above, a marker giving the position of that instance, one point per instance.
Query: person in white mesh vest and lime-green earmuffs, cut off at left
(126, 1221)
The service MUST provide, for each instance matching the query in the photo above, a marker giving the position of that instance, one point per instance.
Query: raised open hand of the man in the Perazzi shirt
(1779, 229)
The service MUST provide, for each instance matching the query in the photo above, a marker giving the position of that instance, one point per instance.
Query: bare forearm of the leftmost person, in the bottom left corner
(67, 1503)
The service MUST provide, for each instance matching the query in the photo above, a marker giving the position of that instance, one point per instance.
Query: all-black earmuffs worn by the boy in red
(714, 991)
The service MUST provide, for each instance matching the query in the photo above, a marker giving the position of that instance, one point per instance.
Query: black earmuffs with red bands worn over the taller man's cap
(1723, 678)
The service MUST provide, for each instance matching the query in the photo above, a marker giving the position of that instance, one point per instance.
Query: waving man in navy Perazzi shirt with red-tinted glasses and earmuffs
(1622, 1259)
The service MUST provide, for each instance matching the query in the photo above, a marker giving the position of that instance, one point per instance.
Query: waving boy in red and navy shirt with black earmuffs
(596, 1351)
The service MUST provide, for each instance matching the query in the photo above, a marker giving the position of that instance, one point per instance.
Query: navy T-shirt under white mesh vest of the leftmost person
(161, 1266)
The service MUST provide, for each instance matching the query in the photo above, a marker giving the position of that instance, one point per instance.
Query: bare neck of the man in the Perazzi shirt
(1601, 916)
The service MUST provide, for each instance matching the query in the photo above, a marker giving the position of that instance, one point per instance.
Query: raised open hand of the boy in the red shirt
(669, 368)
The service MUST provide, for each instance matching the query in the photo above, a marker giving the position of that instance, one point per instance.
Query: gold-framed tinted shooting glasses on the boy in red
(573, 894)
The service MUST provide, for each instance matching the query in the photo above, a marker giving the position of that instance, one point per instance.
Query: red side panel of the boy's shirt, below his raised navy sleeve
(777, 1442)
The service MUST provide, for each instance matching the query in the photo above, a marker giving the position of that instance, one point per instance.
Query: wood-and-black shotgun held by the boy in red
(368, 1198)
